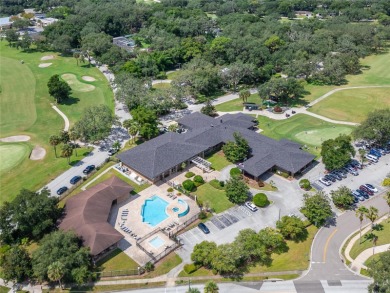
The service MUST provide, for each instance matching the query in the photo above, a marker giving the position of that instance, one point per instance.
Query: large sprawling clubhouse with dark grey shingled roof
(164, 155)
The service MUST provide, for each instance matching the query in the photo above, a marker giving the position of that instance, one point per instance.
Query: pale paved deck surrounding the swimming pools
(133, 220)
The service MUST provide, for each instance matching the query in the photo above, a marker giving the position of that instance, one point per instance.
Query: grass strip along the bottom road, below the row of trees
(297, 258)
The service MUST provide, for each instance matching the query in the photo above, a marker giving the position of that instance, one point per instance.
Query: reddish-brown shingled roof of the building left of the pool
(87, 214)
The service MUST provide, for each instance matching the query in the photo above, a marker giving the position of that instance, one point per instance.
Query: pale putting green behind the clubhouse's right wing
(317, 136)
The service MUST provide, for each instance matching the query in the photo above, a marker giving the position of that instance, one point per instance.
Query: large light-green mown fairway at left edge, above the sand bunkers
(17, 111)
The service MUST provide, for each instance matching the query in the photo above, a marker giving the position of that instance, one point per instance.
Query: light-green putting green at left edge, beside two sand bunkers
(12, 154)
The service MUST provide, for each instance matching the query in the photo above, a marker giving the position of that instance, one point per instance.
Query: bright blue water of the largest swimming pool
(153, 210)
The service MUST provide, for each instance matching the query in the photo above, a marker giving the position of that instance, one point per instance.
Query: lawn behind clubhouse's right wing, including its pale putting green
(303, 129)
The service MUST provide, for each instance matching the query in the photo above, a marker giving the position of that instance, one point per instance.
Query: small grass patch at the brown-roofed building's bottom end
(116, 261)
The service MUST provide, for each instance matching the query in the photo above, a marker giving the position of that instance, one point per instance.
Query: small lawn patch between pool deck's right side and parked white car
(217, 198)
